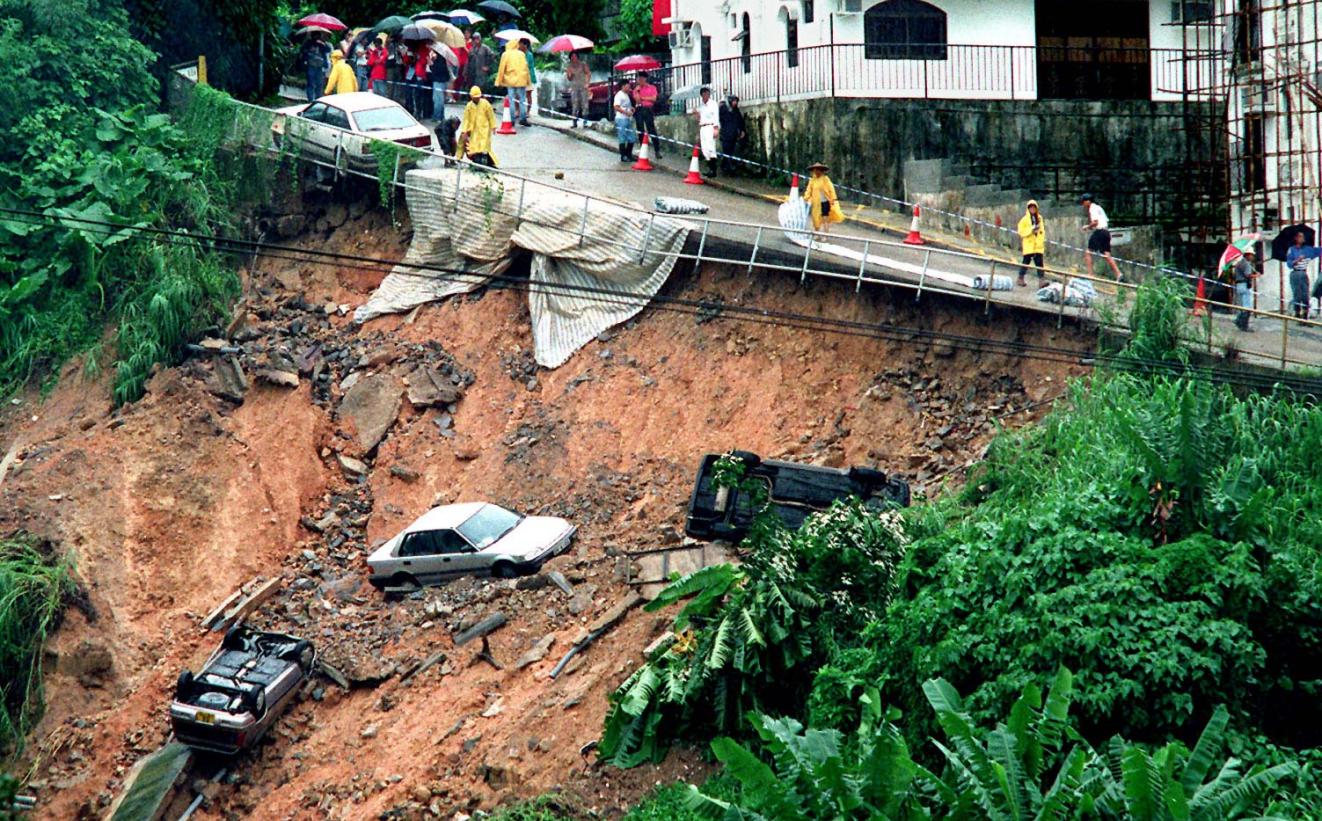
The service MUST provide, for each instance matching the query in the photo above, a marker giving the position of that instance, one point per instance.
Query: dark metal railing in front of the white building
(953, 72)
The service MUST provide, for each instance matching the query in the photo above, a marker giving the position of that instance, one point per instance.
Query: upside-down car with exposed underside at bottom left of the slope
(231, 704)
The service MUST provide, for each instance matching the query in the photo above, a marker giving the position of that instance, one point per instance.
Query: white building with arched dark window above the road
(966, 50)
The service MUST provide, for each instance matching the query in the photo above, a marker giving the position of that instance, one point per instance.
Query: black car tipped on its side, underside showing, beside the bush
(797, 491)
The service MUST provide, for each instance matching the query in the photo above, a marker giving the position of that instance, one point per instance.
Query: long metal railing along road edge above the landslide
(253, 130)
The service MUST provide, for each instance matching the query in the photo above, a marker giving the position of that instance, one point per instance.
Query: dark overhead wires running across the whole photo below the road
(695, 307)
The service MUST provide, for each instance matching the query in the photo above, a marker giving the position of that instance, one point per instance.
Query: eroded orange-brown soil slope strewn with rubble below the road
(174, 503)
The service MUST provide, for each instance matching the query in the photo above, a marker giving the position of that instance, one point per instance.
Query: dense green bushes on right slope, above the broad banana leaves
(1160, 537)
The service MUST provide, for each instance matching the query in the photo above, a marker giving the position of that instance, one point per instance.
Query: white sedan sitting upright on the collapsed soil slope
(471, 539)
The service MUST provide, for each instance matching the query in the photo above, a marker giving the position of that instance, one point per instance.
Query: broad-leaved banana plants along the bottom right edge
(1032, 766)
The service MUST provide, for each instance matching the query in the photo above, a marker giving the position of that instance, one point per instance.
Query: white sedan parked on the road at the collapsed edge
(340, 129)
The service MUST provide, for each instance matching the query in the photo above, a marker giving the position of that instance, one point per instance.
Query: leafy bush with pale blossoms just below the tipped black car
(749, 639)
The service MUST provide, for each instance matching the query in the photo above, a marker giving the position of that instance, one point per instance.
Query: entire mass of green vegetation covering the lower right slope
(1159, 537)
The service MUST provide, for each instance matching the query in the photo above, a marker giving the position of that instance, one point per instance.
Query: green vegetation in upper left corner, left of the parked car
(88, 166)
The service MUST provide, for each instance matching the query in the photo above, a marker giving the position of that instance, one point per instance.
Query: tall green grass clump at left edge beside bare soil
(35, 585)
